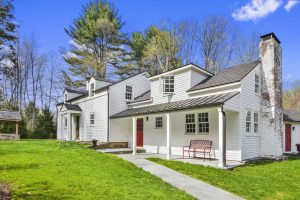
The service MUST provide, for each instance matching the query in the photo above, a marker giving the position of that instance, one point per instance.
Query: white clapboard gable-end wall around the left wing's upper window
(117, 102)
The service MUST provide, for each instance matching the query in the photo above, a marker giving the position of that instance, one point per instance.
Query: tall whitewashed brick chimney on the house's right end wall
(271, 95)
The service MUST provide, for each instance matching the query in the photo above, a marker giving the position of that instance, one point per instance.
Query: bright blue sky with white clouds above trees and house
(46, 19)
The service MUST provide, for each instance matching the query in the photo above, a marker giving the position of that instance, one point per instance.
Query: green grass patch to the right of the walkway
(263, 180)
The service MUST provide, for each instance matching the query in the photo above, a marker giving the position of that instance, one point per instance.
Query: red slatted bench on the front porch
(198, 146)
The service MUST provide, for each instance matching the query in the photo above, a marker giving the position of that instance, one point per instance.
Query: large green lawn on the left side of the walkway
(45, 169)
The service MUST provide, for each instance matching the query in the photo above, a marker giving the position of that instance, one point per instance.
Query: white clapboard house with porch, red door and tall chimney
(238, 109)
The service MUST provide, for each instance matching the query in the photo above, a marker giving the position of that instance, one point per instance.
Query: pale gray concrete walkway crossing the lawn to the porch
(194, 187)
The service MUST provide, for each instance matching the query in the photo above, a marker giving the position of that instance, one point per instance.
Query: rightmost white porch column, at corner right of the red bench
(222, 138)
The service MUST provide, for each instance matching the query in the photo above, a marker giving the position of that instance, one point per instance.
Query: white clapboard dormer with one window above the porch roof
(172, 85)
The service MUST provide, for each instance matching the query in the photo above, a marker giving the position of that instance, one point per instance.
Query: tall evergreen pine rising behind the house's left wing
(97, 40)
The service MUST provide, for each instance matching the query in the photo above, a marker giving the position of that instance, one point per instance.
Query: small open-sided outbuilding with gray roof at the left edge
(10, 116)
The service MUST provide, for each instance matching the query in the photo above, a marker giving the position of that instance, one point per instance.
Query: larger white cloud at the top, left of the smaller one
(256, 9)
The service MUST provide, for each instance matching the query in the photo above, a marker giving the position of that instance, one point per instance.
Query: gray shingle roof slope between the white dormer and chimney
(226, 76)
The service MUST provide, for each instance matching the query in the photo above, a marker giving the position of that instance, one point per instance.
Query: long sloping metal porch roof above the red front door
(212, 100)
